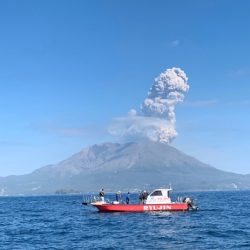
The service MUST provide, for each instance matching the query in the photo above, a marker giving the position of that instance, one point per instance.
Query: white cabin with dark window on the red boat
(159, 196)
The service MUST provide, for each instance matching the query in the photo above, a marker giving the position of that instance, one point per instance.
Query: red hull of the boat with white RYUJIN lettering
(141, 207)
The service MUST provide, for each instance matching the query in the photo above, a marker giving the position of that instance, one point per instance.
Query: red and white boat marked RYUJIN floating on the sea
(157, 200)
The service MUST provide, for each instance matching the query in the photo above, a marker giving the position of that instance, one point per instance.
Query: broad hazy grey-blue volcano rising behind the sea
(124, 166)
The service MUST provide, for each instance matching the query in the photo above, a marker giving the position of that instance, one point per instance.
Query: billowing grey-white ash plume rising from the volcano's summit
(156, 119)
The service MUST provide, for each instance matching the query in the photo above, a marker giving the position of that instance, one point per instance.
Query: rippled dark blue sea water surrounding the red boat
(61, 222)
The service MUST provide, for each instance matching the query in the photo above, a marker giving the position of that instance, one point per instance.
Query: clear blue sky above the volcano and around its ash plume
(67, 68)
